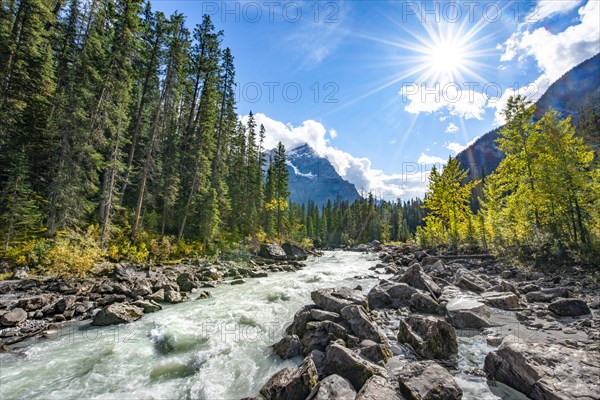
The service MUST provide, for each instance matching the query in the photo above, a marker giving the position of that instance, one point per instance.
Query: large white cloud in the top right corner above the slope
(557, 53)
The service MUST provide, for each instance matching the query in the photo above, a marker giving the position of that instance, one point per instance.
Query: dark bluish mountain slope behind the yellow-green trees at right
(577, 88)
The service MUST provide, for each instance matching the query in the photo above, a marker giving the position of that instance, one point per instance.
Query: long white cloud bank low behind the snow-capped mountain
(412, 182)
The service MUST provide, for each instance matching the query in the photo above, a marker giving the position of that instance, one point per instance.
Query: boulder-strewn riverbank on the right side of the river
(400, 340)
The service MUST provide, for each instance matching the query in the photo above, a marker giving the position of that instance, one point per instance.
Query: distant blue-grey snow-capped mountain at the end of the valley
(315, 178)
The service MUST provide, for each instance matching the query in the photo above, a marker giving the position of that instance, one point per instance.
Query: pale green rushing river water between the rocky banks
(217, 348)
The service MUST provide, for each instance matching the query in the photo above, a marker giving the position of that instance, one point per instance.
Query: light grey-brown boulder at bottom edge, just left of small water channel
(426, 380)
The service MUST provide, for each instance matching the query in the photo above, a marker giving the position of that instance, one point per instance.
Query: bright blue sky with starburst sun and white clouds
(348, 77)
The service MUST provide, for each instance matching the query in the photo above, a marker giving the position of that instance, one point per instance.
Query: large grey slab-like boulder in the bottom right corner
(546, 371)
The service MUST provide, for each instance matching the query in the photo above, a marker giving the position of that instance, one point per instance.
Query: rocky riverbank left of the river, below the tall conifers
(121, 293)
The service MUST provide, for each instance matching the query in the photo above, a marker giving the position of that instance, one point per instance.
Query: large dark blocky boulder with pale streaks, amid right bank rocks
(430, 337)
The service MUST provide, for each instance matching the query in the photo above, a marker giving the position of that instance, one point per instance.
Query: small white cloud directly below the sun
(448, 96)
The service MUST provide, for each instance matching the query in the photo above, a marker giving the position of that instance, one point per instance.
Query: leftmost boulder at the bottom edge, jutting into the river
(292, 383)
